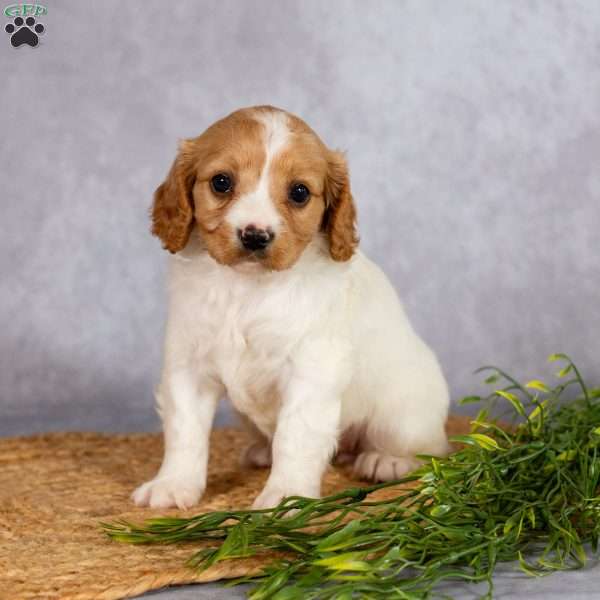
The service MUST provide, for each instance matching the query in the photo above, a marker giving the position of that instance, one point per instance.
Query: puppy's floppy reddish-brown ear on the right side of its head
(340, 215)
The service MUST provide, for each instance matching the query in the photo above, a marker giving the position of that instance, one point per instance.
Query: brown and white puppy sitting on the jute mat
(272, 303)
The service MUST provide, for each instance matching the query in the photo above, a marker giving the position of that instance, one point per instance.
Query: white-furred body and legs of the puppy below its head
(304, 354)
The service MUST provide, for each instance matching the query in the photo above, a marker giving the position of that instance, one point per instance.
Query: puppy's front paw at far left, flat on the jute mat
(165, 492)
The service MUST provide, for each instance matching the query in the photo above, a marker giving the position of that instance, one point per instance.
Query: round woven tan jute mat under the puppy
(56, 488)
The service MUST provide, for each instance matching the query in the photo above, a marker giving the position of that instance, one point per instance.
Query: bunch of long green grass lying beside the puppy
(526, 493)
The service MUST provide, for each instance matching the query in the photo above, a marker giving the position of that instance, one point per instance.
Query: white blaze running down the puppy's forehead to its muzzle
(257, 207)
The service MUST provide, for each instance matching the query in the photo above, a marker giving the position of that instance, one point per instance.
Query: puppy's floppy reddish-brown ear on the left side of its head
(173, 207)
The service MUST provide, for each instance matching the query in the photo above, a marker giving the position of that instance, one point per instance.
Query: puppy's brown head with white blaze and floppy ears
(260, 185)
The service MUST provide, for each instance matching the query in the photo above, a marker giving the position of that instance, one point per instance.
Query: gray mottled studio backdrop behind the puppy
(473, 135)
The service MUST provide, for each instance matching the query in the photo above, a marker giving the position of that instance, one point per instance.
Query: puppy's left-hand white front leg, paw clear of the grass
(187, 408)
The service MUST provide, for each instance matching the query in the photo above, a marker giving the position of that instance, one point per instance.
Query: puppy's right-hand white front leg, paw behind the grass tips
(305, 436)
